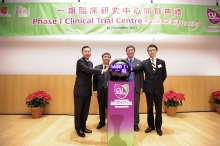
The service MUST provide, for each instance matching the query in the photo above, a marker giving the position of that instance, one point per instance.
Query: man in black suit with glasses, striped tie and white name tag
(155, 75)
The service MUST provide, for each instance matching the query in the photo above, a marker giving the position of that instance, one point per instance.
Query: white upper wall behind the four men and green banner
(183, 54)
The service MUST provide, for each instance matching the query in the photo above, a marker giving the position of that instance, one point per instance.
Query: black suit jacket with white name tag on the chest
(153, 81)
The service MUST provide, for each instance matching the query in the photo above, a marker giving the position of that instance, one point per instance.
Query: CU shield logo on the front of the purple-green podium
(121, 91)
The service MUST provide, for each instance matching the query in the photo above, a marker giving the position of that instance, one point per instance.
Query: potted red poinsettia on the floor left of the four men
(37, 101)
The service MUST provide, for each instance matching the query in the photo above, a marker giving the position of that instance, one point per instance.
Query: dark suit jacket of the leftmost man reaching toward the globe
(83, 82)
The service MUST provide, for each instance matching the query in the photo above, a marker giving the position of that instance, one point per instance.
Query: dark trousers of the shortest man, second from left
(102, 100)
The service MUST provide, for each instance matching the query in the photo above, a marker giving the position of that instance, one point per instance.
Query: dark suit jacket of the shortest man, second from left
(98, 80)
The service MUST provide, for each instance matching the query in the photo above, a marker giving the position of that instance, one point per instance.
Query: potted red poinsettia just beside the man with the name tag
(172, 100)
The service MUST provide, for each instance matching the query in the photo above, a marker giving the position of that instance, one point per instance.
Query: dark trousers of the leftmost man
(81, 111)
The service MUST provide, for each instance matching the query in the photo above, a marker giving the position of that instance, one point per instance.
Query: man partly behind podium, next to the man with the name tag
(137, 77)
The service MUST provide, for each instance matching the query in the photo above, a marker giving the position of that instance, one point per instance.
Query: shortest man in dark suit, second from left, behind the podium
(100, 88)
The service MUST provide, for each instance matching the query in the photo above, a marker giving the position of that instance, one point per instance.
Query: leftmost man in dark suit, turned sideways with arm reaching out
(83, 90)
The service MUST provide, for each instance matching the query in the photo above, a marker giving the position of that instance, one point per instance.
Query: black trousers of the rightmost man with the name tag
(157, 99)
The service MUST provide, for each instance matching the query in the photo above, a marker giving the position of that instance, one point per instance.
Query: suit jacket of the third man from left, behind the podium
(139, 77)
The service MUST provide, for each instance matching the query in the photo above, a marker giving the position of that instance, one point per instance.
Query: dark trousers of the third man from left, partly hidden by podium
(136, 107)
